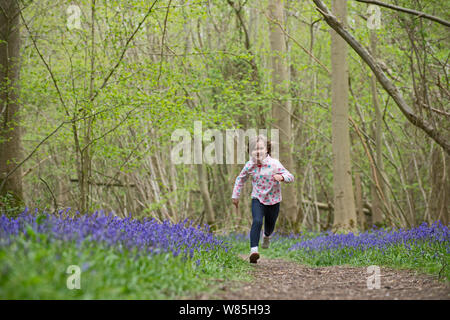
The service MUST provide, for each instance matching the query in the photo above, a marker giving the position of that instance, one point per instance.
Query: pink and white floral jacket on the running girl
(265, 188)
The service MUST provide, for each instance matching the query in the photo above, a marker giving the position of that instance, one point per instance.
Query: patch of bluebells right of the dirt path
(381, 239)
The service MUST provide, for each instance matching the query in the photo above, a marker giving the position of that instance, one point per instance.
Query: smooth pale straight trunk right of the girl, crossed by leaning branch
(344, 201)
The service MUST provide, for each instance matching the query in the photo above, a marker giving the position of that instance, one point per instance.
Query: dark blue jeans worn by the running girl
(270, 215)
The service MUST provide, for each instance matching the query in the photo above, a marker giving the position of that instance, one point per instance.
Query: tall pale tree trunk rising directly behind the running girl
(281, 112)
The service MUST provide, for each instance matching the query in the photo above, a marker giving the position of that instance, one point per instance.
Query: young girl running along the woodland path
(267, 173)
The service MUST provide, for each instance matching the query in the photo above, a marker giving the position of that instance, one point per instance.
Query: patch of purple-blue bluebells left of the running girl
(148, 236)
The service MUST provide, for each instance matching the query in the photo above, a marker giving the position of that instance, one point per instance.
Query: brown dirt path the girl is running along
(279, 279)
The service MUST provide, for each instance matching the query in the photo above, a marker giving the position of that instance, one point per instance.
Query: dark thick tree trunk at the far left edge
(10, 131)
